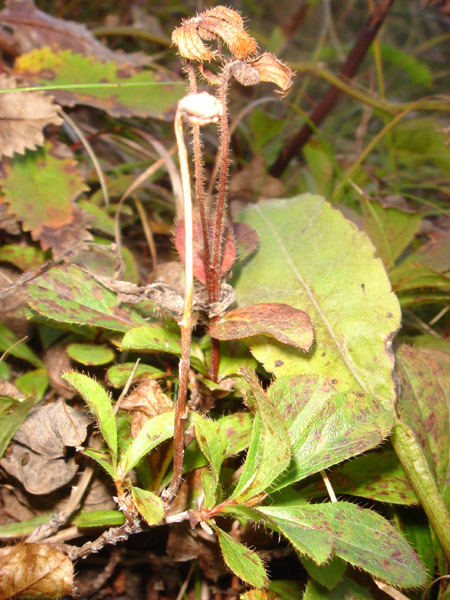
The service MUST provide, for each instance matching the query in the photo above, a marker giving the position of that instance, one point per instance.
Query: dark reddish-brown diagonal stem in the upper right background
(354, 59)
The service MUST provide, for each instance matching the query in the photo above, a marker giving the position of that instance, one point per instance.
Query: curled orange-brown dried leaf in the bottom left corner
(34, 571)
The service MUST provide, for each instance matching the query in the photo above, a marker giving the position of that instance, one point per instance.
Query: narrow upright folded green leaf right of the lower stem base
(269, 453)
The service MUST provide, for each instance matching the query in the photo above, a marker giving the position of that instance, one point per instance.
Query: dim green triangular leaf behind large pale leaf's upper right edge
(390, 229)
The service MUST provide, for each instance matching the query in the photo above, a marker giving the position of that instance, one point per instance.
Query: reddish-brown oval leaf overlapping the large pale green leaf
(286, 324)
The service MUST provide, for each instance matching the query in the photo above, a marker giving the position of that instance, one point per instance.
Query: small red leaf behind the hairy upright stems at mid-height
(229, 252)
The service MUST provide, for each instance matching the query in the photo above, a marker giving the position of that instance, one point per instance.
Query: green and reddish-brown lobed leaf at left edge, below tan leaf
(40, 188)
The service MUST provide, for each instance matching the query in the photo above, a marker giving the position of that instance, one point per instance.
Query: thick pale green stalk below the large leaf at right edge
(410, 454)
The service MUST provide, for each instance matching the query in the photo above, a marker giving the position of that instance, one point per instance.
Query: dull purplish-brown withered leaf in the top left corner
(33, 28)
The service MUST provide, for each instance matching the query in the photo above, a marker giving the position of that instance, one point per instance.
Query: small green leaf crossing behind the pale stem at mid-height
(150, 338)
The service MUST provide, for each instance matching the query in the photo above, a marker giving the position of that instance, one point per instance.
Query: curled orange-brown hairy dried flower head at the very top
(217, 23)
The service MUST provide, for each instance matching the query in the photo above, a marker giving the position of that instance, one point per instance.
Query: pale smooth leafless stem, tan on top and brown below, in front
(186, 322)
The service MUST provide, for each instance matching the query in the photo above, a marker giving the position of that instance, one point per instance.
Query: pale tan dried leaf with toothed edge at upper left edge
(24, 115)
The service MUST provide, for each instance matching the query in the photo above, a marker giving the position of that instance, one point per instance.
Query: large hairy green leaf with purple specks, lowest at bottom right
(361, 537)
